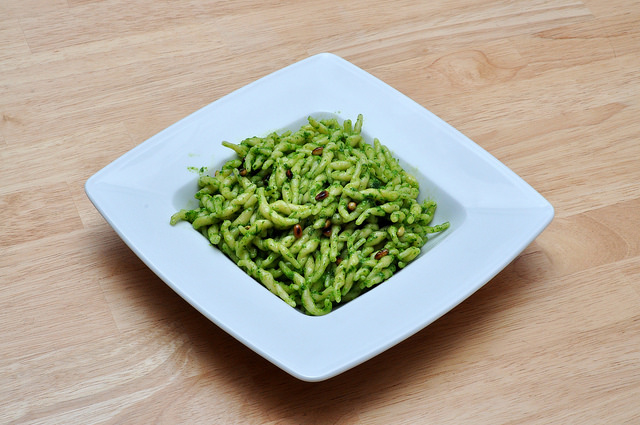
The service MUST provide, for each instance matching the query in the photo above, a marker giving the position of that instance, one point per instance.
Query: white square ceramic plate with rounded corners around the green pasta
(494, 215)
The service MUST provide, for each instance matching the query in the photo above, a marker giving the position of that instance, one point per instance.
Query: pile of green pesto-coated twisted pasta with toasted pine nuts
(318, 216)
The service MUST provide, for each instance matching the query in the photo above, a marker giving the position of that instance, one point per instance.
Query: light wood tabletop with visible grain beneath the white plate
(88, 334)
